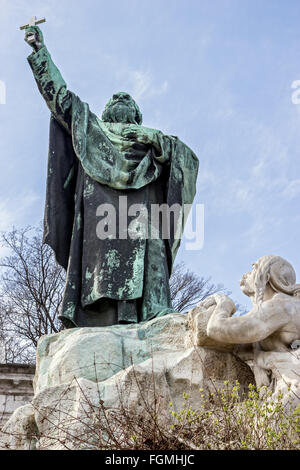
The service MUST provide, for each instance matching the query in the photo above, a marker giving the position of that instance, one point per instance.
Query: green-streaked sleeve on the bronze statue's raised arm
(52, 86)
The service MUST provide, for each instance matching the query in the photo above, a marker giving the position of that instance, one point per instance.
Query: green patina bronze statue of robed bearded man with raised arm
(95, 165)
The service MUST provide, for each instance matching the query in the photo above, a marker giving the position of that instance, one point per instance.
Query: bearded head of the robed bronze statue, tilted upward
(122, 108)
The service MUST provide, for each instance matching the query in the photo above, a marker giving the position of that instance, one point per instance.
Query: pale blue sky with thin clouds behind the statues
(216, 73)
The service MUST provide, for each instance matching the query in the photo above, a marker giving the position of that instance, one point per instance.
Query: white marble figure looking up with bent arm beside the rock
(272, 327)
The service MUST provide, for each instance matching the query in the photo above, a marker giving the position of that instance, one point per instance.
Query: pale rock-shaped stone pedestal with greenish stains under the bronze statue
(85, 370)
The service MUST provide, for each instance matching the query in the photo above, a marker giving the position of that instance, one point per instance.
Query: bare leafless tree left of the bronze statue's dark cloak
(31, 291)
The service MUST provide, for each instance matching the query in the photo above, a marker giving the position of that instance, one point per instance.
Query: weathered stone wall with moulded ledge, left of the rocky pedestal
(16, 388)
